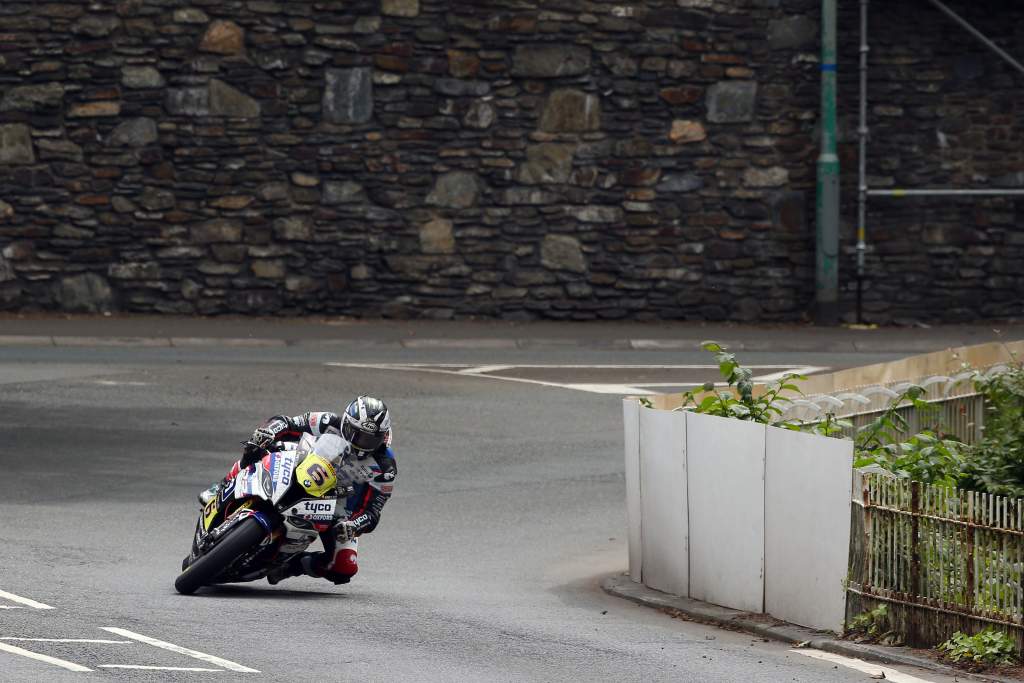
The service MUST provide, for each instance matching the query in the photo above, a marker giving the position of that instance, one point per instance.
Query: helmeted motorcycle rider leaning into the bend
(366, 426)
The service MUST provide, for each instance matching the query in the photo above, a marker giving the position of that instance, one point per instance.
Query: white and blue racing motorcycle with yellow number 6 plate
(271, 513)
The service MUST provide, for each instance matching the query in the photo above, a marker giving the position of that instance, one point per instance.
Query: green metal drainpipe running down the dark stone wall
(827, 268)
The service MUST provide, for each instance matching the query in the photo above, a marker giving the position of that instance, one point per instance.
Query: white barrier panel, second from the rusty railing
(726, 489)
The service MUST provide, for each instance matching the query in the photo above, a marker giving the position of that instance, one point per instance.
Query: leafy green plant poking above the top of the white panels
(740, 402)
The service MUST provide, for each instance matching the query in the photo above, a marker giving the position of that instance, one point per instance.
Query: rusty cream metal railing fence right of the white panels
(945, 560)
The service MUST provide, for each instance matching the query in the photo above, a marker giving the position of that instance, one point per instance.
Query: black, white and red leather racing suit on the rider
(338, 563)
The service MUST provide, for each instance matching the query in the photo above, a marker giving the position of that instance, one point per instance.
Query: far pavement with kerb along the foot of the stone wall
(314, 332)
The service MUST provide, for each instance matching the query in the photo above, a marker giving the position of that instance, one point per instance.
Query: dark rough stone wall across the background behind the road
(562, 159)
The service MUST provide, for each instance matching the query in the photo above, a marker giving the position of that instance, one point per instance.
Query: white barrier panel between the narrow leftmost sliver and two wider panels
(663, 487)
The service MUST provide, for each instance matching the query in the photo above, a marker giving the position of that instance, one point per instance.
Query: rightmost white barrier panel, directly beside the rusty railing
(808, 488)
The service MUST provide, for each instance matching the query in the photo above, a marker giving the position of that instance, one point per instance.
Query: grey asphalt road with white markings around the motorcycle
(508, 511)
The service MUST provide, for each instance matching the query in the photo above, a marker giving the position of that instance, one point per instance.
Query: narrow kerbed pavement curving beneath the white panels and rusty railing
(622, 586)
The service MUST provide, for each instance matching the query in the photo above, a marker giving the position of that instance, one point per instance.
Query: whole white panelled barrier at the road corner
(739, 515)
